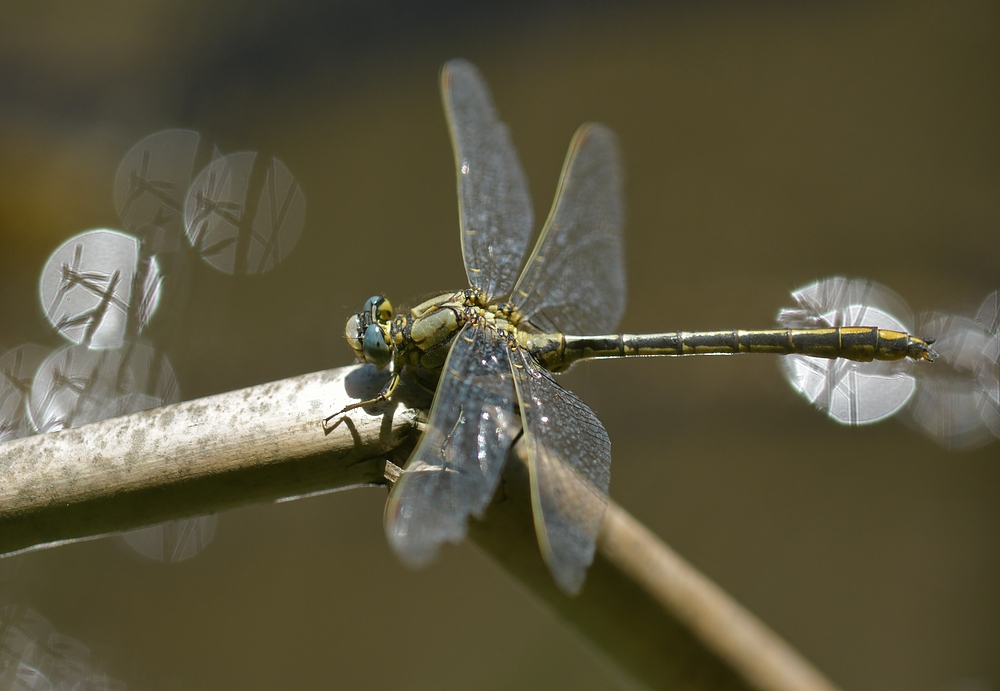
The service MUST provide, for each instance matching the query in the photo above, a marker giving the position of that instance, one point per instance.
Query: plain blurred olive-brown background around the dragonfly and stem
(766, 145)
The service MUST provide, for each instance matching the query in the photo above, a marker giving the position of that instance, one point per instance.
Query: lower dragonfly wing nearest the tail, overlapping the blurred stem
(569, 454)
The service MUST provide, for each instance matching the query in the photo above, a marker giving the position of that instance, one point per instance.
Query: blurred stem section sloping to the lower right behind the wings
(644, 606)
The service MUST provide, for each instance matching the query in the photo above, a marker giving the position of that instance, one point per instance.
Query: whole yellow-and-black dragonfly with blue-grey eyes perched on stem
(495, 345)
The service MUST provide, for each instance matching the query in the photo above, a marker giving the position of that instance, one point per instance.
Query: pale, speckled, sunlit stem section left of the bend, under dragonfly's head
(198, 457)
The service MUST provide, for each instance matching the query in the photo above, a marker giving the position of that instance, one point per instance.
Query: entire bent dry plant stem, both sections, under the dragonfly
(650, 612)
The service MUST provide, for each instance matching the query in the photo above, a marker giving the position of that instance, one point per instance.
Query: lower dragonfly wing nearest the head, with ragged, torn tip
(455, 468)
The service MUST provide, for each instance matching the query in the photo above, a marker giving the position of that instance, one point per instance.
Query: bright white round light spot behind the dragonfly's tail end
(849, 392)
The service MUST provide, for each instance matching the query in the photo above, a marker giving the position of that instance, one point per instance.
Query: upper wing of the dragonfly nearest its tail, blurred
(574, 281)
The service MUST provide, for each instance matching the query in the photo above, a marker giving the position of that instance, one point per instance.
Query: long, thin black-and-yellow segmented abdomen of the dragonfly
(859, 343)
